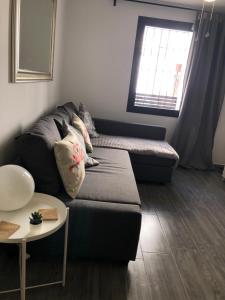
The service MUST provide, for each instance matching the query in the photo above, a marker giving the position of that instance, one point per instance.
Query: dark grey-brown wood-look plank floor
(181, 253)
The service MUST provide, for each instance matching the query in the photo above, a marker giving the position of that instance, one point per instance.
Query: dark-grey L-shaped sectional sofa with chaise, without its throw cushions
(105, 217)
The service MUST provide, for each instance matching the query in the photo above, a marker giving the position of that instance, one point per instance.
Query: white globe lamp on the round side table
(16, 187)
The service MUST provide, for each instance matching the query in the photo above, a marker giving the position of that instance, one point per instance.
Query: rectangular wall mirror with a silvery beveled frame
(33, 35)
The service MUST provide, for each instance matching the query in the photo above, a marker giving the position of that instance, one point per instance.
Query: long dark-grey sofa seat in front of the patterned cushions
(111, 181)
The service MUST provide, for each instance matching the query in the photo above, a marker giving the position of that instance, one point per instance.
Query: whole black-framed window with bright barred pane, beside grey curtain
(160, 59)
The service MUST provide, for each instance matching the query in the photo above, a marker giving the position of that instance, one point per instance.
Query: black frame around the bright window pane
(161, 23)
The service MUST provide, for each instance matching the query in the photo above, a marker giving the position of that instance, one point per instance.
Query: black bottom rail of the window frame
(154, 111)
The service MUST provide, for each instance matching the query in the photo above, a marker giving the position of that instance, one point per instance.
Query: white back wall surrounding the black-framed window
(99, 46)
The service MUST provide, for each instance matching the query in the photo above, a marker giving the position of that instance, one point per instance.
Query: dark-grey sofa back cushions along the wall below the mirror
(35, 150)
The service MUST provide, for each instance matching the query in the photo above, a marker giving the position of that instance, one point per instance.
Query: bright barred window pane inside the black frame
(163, 62)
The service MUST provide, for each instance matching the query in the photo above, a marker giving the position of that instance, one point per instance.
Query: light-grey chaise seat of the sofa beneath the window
(137, 146)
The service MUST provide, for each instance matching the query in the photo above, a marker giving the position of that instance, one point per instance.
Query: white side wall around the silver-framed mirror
(22, 103)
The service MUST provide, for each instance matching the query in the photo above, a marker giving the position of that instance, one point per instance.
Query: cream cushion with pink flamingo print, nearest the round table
(70, 162)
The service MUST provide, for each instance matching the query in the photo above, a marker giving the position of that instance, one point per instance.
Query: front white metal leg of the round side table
(23, 269)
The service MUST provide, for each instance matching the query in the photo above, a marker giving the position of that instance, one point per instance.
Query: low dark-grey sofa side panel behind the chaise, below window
(110, 127)
